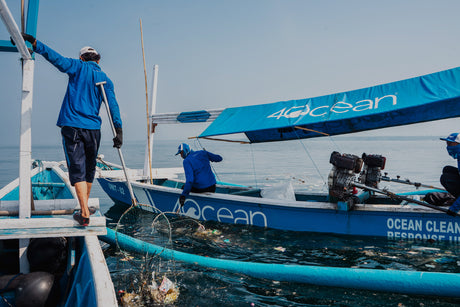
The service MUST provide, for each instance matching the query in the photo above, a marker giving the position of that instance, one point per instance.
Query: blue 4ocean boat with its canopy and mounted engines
(351, 207)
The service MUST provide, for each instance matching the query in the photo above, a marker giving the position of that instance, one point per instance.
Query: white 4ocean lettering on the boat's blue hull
(192, 209)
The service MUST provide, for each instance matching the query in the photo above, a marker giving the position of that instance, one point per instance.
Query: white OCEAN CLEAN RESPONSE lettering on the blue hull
(401, 228)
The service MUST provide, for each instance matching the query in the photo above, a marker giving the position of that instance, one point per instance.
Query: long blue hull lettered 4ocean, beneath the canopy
(392, 222)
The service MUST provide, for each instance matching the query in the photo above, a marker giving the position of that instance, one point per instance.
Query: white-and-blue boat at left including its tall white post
(47, 259)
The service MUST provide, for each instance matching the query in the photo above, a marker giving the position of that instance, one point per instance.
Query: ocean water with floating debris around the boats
(306, 165)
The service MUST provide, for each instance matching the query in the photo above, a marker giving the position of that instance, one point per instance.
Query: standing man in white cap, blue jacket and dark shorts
(79, 118)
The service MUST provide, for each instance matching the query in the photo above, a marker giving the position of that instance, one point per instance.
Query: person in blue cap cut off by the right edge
(450, 179)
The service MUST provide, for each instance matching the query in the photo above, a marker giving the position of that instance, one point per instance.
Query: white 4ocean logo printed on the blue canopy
(339, 107)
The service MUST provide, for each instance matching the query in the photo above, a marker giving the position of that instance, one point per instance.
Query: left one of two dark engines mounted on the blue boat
(343, 173)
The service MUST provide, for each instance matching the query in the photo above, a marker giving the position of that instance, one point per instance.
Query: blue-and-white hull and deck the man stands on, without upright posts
(58, 251)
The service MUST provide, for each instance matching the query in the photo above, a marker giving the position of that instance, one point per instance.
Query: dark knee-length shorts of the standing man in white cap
(80, 148)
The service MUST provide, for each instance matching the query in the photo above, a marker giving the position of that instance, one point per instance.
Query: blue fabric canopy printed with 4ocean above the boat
(420, 99)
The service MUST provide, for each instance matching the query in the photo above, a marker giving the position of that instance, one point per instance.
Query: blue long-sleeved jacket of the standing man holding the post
(82, 100)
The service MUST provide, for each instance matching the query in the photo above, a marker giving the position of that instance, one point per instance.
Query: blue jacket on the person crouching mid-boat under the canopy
(198, 171)
